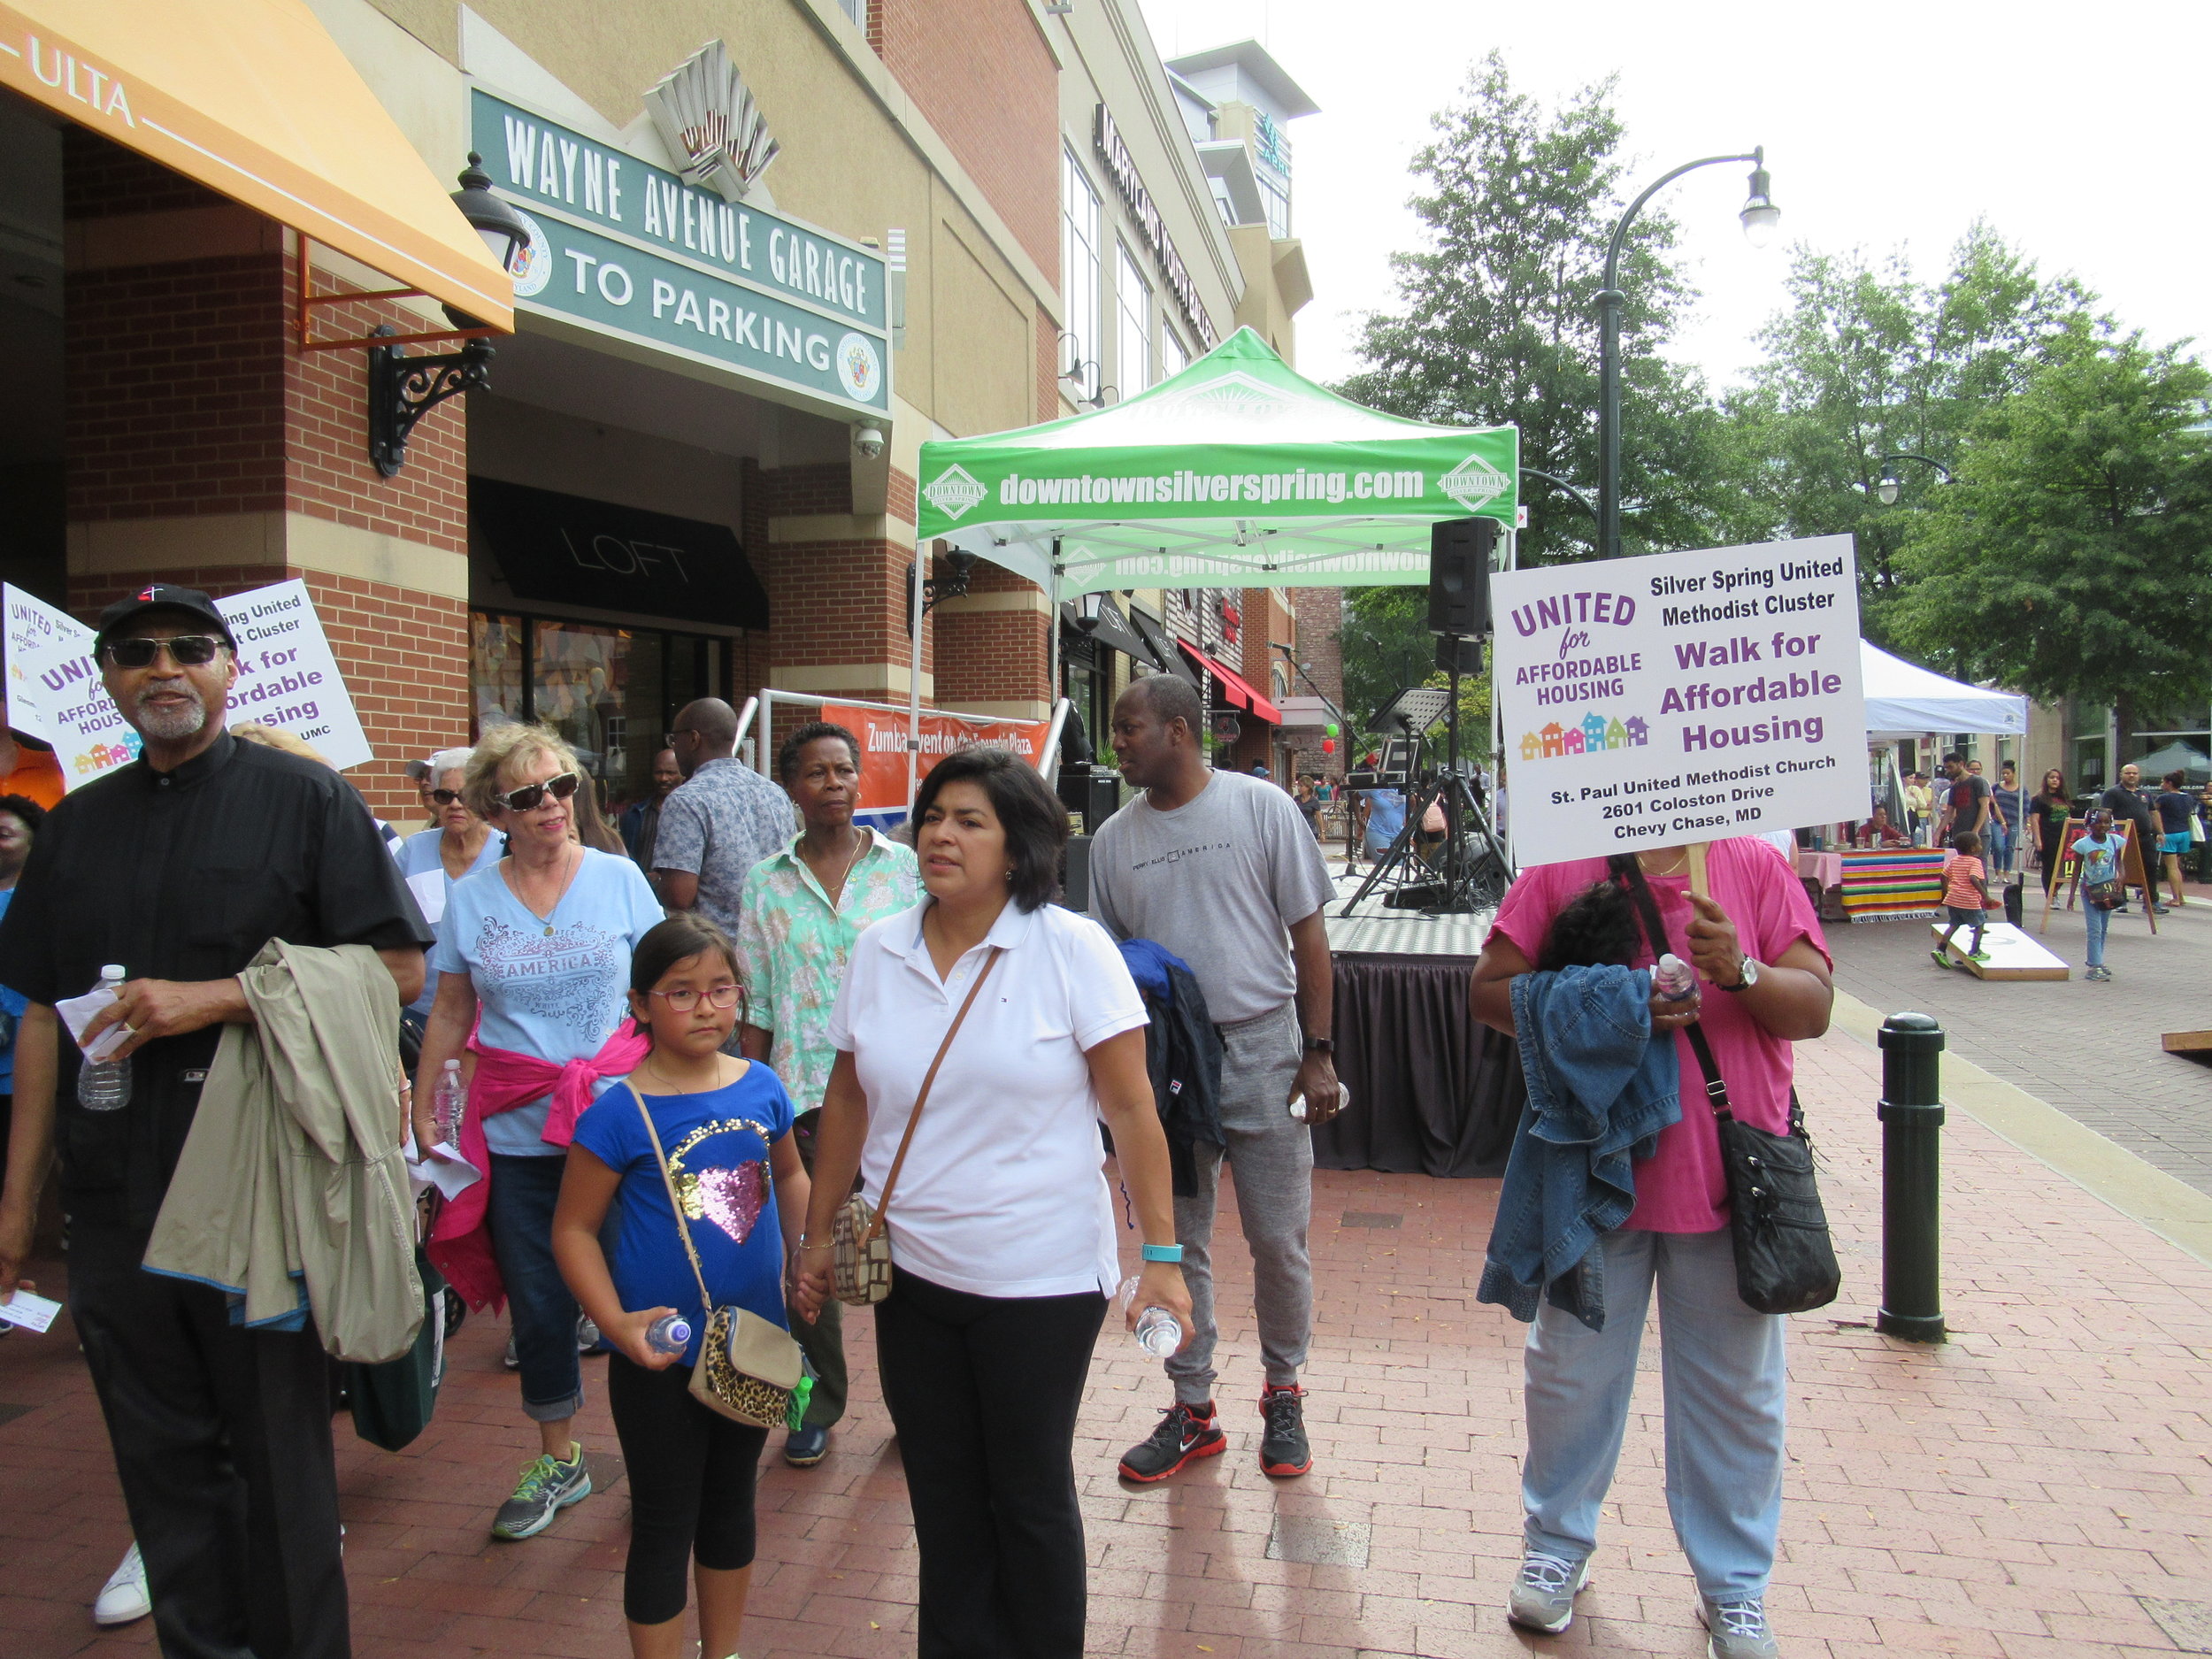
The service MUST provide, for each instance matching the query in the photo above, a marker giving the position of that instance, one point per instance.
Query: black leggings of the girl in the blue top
(691, 1488)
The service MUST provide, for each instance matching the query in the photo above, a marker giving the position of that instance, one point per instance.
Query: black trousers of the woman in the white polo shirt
(983, 1395)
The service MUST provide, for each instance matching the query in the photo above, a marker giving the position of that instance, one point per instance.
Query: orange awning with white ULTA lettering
(255, 101)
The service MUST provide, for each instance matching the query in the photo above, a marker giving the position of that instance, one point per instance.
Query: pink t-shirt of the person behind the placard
(1682, 1187)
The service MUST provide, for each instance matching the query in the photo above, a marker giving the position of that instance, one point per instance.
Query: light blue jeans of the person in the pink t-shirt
(1724, 1381)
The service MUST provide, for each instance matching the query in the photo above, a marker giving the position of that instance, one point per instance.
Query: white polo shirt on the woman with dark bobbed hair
(1005, 1189)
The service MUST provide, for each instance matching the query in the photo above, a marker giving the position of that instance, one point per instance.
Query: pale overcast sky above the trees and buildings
(2076, 132)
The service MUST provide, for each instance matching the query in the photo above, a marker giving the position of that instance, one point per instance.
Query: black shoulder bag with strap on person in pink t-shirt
(1786, 1262)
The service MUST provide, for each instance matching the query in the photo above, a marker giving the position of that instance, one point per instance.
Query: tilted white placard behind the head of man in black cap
(286, 678)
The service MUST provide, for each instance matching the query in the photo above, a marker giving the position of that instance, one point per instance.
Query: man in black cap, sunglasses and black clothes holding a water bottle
(180, 868)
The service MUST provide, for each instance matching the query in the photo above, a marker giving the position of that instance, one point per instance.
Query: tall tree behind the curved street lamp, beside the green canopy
(1496, 317)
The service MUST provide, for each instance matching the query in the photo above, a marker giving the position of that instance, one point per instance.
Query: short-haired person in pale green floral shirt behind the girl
(800, 915)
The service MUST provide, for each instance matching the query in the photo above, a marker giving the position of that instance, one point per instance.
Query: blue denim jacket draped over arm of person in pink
(1600, 1092)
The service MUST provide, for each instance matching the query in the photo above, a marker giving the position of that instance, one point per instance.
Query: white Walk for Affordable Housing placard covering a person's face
(1680, 698)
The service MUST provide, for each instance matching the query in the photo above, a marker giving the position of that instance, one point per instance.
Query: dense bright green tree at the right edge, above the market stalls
(2074, 556)
